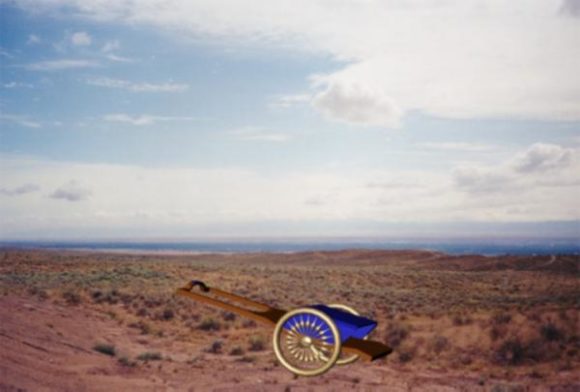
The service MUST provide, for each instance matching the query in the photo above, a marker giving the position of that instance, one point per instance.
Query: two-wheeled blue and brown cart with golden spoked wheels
(307, 341)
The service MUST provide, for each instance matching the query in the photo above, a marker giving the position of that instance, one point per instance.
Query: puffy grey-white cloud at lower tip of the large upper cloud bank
(357, 103)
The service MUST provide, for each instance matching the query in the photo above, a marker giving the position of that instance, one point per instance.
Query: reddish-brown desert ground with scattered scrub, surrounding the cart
(98, 321)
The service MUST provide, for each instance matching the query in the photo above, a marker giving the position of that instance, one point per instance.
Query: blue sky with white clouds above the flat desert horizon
(313, 118)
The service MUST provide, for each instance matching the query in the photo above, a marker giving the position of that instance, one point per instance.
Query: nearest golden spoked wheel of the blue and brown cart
(306, 342)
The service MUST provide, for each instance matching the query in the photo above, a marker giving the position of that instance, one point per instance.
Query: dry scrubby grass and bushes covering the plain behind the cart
(437, 311)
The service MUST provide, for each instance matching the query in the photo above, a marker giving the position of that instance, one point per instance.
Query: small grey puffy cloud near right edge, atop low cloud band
(541, 157)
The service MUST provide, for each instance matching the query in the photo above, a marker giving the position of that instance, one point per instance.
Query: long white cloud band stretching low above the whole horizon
(193, 200)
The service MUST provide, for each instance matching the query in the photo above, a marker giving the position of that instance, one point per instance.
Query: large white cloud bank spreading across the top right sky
(453, 59)
